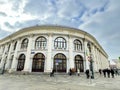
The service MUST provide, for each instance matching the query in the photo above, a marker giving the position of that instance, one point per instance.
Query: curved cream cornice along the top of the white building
(51, 29)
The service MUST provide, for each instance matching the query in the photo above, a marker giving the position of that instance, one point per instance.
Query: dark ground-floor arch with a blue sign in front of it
(60, 62)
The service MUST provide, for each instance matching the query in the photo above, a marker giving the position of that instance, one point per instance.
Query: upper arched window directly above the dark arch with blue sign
(60, 43)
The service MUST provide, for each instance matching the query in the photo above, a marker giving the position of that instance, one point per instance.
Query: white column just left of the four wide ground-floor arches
(15, 58)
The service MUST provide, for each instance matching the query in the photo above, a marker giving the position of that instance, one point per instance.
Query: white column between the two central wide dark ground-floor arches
(48, 61)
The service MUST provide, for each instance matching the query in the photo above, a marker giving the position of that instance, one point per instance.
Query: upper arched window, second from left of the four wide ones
(40, 43)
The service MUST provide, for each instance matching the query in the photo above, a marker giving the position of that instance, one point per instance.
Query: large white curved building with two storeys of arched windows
(43, 48)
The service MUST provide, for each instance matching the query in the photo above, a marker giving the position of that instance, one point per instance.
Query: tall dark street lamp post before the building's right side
(91, 62)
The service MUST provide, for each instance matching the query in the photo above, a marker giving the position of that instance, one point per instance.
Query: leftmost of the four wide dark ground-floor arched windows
(21, 62)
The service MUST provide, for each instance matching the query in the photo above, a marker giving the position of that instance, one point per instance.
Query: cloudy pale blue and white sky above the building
(100, 18)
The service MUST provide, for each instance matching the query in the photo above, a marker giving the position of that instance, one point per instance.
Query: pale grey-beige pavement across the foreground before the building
(58, 82)
